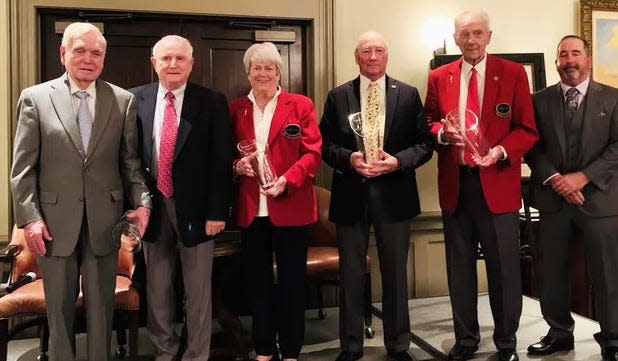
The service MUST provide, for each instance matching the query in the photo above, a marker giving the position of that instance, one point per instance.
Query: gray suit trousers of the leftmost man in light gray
(61, 287)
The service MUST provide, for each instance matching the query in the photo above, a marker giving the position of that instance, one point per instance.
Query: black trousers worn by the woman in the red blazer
(282, 313)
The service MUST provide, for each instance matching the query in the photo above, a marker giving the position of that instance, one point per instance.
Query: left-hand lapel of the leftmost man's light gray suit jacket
(63, 105)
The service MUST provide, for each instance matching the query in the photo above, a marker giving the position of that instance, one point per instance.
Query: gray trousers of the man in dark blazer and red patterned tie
(160, 256)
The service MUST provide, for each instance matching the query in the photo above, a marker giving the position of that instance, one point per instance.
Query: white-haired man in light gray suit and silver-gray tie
(75, 157)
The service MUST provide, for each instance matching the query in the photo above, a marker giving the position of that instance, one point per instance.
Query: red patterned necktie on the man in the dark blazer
(167, 142)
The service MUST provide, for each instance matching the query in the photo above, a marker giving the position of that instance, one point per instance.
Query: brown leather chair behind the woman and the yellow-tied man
(323, 258)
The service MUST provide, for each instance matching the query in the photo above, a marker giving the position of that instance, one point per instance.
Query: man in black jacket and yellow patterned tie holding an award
(381, 192)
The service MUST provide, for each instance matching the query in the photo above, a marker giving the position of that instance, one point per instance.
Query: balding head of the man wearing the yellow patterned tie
(371, 55)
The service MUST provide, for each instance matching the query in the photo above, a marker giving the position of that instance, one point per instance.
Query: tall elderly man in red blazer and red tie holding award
(480, 195)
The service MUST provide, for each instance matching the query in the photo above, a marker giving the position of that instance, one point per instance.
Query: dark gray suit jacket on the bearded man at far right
(599, 149)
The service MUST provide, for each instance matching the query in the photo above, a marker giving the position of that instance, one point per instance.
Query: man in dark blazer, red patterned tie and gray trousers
(187, 151)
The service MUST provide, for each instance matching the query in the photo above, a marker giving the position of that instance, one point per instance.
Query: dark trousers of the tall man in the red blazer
(498, 235)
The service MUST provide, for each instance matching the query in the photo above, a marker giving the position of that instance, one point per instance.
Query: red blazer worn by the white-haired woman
(296, 158)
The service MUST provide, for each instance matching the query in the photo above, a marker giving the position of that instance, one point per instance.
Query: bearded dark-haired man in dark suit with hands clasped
(575, 187)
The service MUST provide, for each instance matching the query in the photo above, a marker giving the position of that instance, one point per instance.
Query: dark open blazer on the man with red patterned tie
(201, 172)
